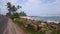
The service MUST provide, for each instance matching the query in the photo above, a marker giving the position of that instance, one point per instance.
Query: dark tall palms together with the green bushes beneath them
(12, 11)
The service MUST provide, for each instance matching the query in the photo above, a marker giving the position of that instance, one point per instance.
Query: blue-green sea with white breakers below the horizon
(48, 19)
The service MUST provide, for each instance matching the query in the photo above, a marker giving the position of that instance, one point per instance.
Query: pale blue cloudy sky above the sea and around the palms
(34, 7)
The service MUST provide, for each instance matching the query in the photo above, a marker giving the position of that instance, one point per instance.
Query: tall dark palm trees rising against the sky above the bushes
(12, 9)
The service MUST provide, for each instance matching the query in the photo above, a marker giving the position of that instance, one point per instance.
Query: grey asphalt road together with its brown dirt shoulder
(8, 27)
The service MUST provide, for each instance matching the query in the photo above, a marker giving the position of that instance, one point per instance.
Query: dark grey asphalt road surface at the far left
(3, 23)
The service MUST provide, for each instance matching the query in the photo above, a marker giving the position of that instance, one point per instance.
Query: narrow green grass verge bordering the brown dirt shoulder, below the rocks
(28, 29)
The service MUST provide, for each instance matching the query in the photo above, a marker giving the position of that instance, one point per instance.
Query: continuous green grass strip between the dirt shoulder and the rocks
(28, 29)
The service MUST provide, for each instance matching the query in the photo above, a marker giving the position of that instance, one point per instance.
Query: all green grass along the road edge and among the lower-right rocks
(30, 30)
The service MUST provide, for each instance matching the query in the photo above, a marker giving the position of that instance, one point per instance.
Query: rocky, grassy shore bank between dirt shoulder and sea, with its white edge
(37, 25)
